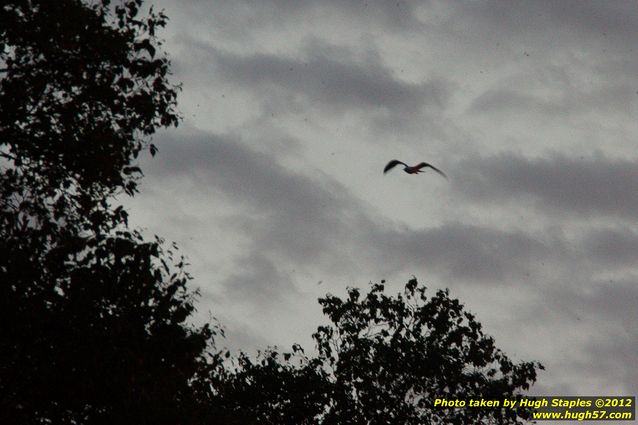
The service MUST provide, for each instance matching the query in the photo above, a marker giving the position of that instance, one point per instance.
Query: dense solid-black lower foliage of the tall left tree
(97, 336)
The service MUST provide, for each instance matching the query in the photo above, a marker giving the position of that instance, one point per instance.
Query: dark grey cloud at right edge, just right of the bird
(584, 185)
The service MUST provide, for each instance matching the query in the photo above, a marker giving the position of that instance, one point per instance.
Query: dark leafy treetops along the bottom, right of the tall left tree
(383, 360)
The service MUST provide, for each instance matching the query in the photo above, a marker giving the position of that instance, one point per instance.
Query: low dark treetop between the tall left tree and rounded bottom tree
(275, 388)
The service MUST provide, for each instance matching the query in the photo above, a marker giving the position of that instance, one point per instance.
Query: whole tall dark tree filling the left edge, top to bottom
(93, 318)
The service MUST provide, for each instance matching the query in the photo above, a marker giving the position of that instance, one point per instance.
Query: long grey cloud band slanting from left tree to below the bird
(296, 218)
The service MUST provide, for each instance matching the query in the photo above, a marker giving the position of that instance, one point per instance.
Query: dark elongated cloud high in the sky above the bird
(323, 77)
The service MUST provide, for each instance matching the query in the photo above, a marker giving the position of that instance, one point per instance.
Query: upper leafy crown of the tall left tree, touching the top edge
(82, 85)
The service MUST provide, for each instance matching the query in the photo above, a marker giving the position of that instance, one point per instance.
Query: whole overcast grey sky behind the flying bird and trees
(273, 188)
